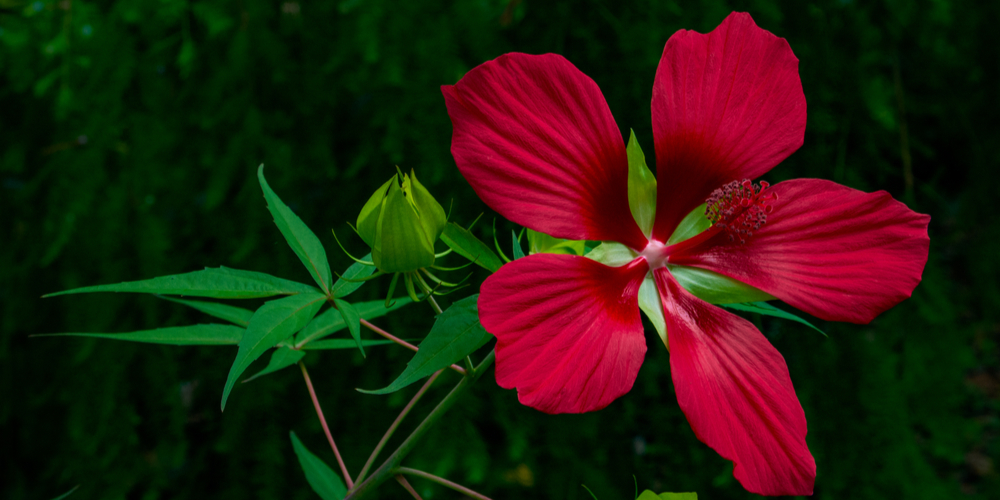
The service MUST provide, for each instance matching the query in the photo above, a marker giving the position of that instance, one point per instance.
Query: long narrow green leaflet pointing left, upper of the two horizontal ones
(221, 283)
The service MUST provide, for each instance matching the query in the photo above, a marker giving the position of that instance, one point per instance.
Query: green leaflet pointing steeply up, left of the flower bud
(304, 242)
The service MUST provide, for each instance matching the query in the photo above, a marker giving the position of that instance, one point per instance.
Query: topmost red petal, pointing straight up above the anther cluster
(726, 106)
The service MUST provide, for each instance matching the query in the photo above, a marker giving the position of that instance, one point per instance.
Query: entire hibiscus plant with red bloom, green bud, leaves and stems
(537, 142)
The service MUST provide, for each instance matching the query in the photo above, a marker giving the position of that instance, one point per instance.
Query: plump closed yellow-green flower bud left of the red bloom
(401, 222)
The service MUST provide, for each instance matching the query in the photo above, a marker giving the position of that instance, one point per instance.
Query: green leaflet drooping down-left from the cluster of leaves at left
(272, 323)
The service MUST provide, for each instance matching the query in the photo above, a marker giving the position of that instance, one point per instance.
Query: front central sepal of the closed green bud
(401, 244)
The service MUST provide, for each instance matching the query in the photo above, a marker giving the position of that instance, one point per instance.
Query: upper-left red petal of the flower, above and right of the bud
(535, 138)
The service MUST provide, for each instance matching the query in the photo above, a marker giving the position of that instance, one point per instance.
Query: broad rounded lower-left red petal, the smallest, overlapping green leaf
(569, 337)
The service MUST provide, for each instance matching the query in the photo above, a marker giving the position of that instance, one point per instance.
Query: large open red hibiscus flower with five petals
(536, 140)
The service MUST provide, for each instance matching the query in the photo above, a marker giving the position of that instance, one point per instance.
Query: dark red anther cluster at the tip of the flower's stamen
(740, 208)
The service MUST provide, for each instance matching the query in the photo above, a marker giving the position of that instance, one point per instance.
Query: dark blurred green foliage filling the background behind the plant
(130, 134)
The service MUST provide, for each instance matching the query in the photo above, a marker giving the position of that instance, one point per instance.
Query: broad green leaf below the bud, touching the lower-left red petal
(456, 334)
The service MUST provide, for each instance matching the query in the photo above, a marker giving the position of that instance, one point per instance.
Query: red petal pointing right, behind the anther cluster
(834, 252)
